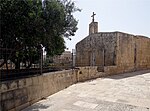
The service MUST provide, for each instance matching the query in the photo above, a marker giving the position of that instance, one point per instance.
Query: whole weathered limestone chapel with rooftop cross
(115, 51)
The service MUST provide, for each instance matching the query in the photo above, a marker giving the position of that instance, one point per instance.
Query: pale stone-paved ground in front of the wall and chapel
(124, 92)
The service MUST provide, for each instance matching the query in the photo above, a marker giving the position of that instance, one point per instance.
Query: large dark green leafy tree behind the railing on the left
(26, 25)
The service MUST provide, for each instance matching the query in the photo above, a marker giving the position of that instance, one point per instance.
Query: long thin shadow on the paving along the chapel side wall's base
(126, 75)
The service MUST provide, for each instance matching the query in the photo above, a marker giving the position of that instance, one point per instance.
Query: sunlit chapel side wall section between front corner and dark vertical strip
(126, 52)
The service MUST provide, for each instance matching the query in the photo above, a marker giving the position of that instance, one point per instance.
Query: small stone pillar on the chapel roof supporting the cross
(93, 27)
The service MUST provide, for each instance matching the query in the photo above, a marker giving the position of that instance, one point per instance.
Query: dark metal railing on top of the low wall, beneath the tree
(8, 70)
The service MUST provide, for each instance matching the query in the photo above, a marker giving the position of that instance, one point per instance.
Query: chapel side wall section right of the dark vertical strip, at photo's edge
(142, 53)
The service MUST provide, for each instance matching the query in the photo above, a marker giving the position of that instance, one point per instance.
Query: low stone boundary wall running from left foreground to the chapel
(18, 94)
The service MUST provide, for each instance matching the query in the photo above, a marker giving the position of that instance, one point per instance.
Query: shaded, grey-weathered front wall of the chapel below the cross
(97, 50)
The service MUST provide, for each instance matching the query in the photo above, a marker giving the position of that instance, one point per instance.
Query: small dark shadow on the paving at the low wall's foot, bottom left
(37, 107)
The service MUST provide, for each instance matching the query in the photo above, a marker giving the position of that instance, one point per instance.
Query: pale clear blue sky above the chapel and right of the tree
(131, 16)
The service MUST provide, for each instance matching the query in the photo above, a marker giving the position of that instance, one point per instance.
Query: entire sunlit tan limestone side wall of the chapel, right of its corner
(132, 53)
